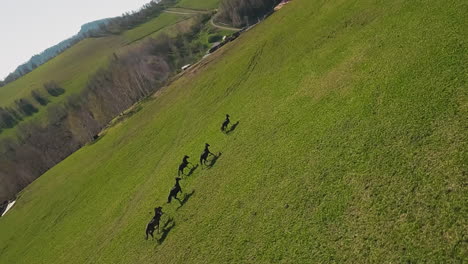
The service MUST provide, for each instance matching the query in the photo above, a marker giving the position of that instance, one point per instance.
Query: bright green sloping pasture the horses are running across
(351, 148)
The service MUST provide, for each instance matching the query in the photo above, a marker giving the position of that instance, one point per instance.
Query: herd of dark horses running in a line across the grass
(176, 189)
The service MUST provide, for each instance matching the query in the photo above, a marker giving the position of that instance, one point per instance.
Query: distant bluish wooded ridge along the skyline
(93, 29)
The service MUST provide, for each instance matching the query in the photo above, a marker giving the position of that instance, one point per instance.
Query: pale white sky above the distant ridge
(28, 27)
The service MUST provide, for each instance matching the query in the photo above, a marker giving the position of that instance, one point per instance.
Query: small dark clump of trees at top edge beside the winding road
(241, 13)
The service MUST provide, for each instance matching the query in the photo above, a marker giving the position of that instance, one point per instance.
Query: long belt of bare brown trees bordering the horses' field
(129, 78)
